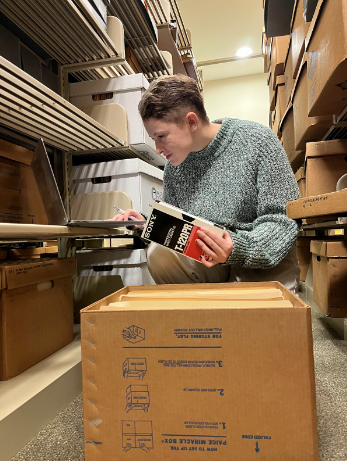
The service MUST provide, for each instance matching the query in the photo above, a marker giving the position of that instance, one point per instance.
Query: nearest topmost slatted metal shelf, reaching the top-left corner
(83, 39)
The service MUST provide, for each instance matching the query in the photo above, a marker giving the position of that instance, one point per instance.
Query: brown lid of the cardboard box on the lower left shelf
(15, 274)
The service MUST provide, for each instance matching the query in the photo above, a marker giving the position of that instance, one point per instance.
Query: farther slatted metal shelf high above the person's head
(138, 38)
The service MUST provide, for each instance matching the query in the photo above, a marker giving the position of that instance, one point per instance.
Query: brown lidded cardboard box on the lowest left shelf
(36, 312)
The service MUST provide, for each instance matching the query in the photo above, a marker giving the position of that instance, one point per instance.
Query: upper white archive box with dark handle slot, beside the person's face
(127, 91)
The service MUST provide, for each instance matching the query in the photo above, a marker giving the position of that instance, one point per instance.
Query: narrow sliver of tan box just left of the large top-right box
(299, 30)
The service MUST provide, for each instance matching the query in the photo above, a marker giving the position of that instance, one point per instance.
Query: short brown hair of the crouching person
(171, 97)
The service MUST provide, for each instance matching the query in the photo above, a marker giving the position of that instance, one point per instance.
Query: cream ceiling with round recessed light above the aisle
(219, 28)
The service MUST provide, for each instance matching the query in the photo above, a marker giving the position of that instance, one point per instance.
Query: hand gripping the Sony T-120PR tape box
(216, 248)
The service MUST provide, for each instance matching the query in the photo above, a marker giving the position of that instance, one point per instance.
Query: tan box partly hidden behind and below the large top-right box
(307, 129)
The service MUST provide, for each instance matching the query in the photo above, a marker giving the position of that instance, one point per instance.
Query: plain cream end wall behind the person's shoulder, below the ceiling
(244, 97)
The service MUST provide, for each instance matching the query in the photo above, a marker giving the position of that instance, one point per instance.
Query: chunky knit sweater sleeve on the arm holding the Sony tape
(265, 242)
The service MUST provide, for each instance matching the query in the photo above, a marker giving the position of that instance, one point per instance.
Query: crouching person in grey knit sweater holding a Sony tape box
(232, 172)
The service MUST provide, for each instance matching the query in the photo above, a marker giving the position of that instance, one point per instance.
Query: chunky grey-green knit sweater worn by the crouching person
(243, 175)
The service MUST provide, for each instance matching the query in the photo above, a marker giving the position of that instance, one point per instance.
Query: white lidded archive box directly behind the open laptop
(141, 181)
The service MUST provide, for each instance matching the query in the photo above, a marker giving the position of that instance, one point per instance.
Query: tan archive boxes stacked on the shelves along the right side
(314, 80)
